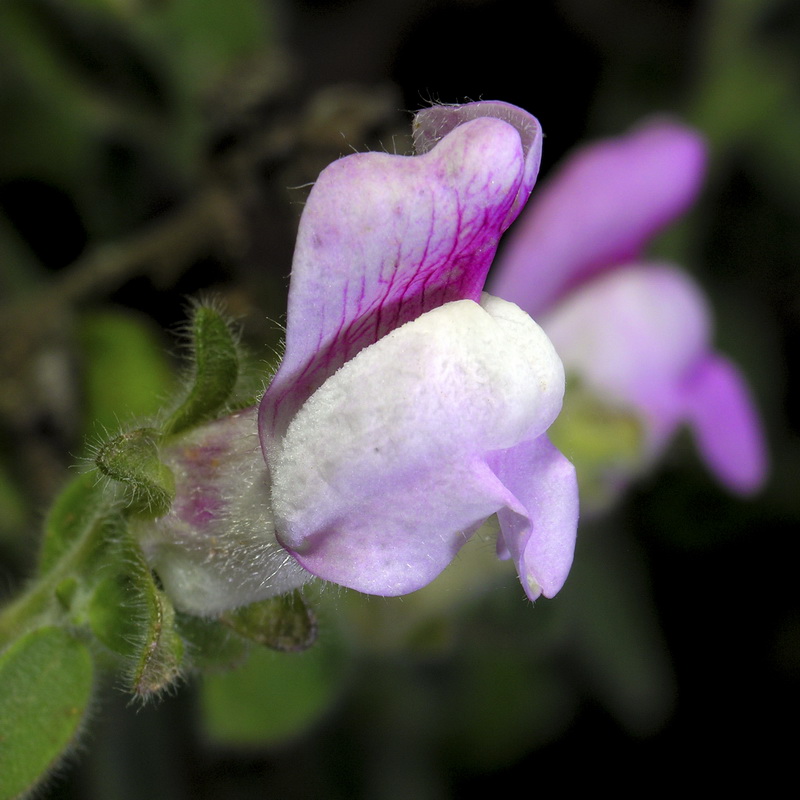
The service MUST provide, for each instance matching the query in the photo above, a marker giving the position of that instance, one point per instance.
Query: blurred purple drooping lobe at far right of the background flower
(725, 423)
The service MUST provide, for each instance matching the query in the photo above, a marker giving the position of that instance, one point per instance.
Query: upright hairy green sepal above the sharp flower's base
(216, 370)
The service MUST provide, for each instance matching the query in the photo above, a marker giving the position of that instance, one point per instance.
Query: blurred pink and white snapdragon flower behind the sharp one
(634, 333)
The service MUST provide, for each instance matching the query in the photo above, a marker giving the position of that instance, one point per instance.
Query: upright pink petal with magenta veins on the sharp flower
(384, 239)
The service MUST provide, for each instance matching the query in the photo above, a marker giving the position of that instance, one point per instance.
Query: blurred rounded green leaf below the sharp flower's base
(274, 696)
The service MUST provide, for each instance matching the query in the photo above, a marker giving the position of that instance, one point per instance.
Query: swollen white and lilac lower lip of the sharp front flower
(382, 473)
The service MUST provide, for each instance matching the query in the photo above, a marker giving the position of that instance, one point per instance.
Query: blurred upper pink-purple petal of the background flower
(599, 211)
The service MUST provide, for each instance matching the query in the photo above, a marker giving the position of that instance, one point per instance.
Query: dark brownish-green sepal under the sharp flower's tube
(284, 623)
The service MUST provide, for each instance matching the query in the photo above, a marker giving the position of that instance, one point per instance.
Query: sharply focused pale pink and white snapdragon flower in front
(409, 406)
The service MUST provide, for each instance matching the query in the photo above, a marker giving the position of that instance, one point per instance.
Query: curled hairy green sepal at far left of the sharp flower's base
(132, 458)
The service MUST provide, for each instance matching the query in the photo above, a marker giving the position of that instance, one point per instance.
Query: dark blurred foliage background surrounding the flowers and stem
(156, 149)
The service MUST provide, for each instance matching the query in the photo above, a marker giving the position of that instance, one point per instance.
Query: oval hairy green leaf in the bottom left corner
(45, 686)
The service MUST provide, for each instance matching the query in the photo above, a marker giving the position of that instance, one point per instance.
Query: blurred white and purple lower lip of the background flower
(639, 338)
